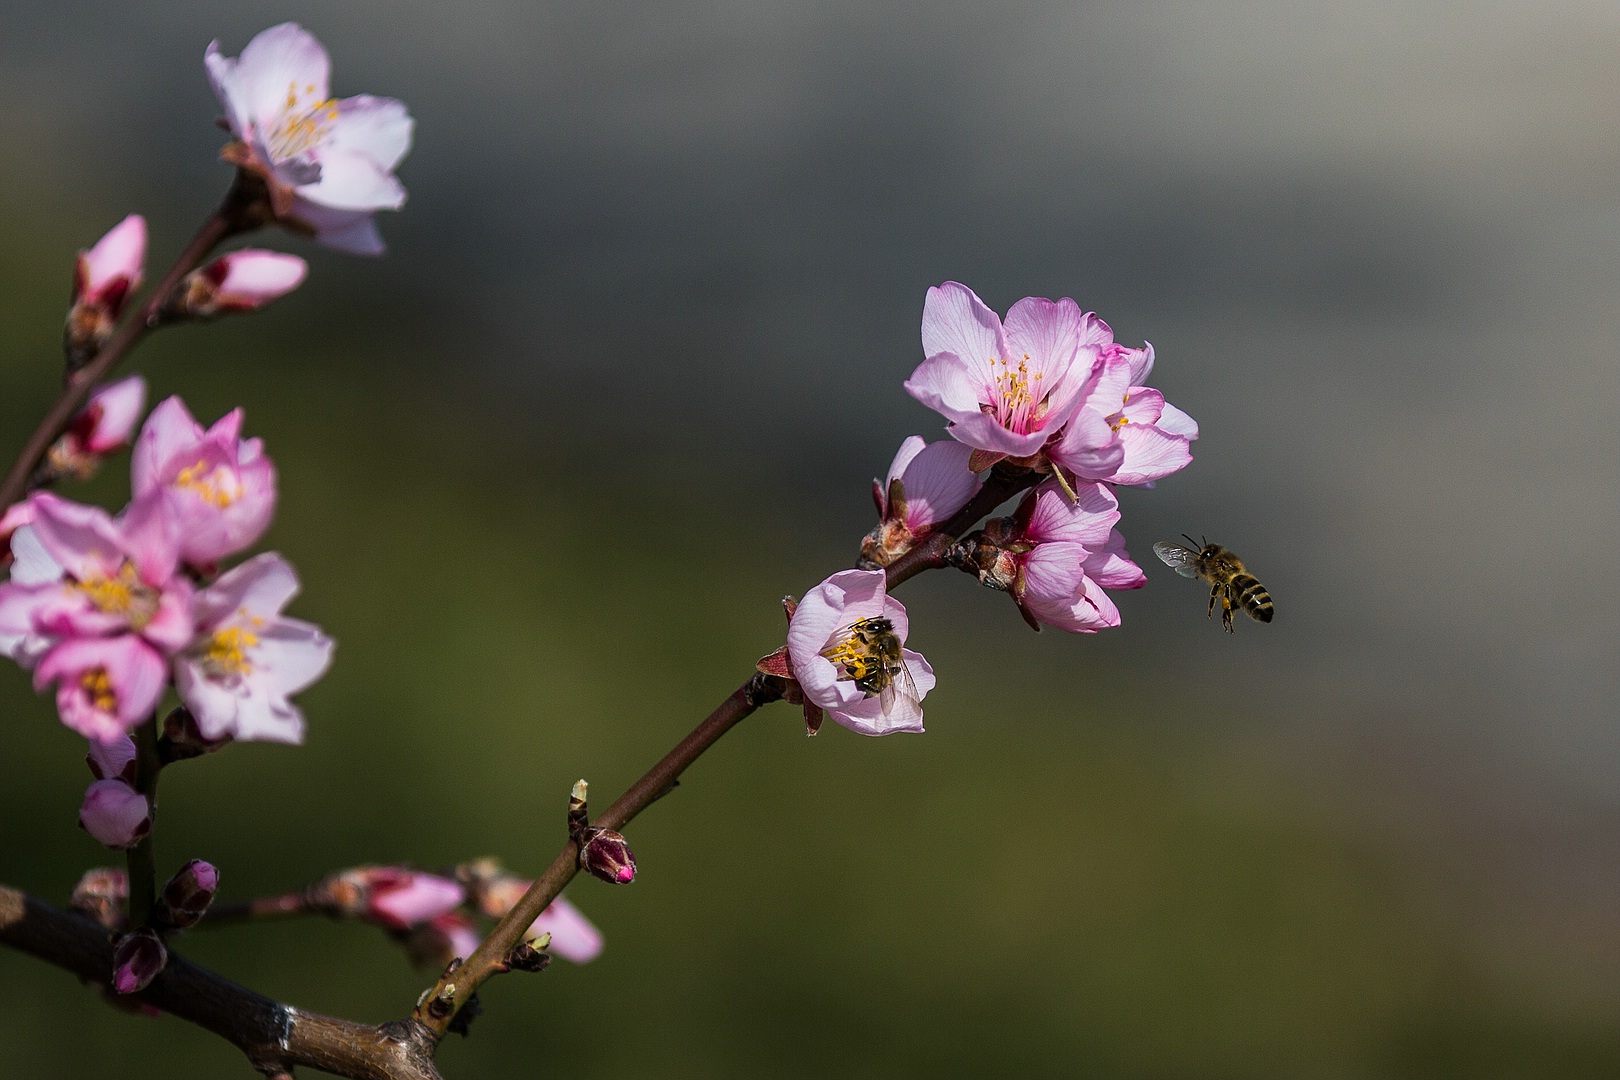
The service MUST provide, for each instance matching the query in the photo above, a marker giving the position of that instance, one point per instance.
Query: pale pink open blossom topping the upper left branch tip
(330, 164)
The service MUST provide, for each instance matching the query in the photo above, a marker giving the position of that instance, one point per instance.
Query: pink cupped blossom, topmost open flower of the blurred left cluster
(218, 488)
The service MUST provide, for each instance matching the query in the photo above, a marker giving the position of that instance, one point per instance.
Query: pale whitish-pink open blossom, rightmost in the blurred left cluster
(249, 658)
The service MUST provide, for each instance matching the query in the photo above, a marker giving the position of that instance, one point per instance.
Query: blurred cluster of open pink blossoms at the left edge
(117, 610)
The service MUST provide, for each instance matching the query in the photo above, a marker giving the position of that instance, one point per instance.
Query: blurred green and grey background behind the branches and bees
(621, 385)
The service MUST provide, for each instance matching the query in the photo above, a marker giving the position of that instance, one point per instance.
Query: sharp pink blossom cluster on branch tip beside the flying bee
(1046, 394)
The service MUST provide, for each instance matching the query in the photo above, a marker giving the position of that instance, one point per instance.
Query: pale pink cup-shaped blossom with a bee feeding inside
(825, 627)
